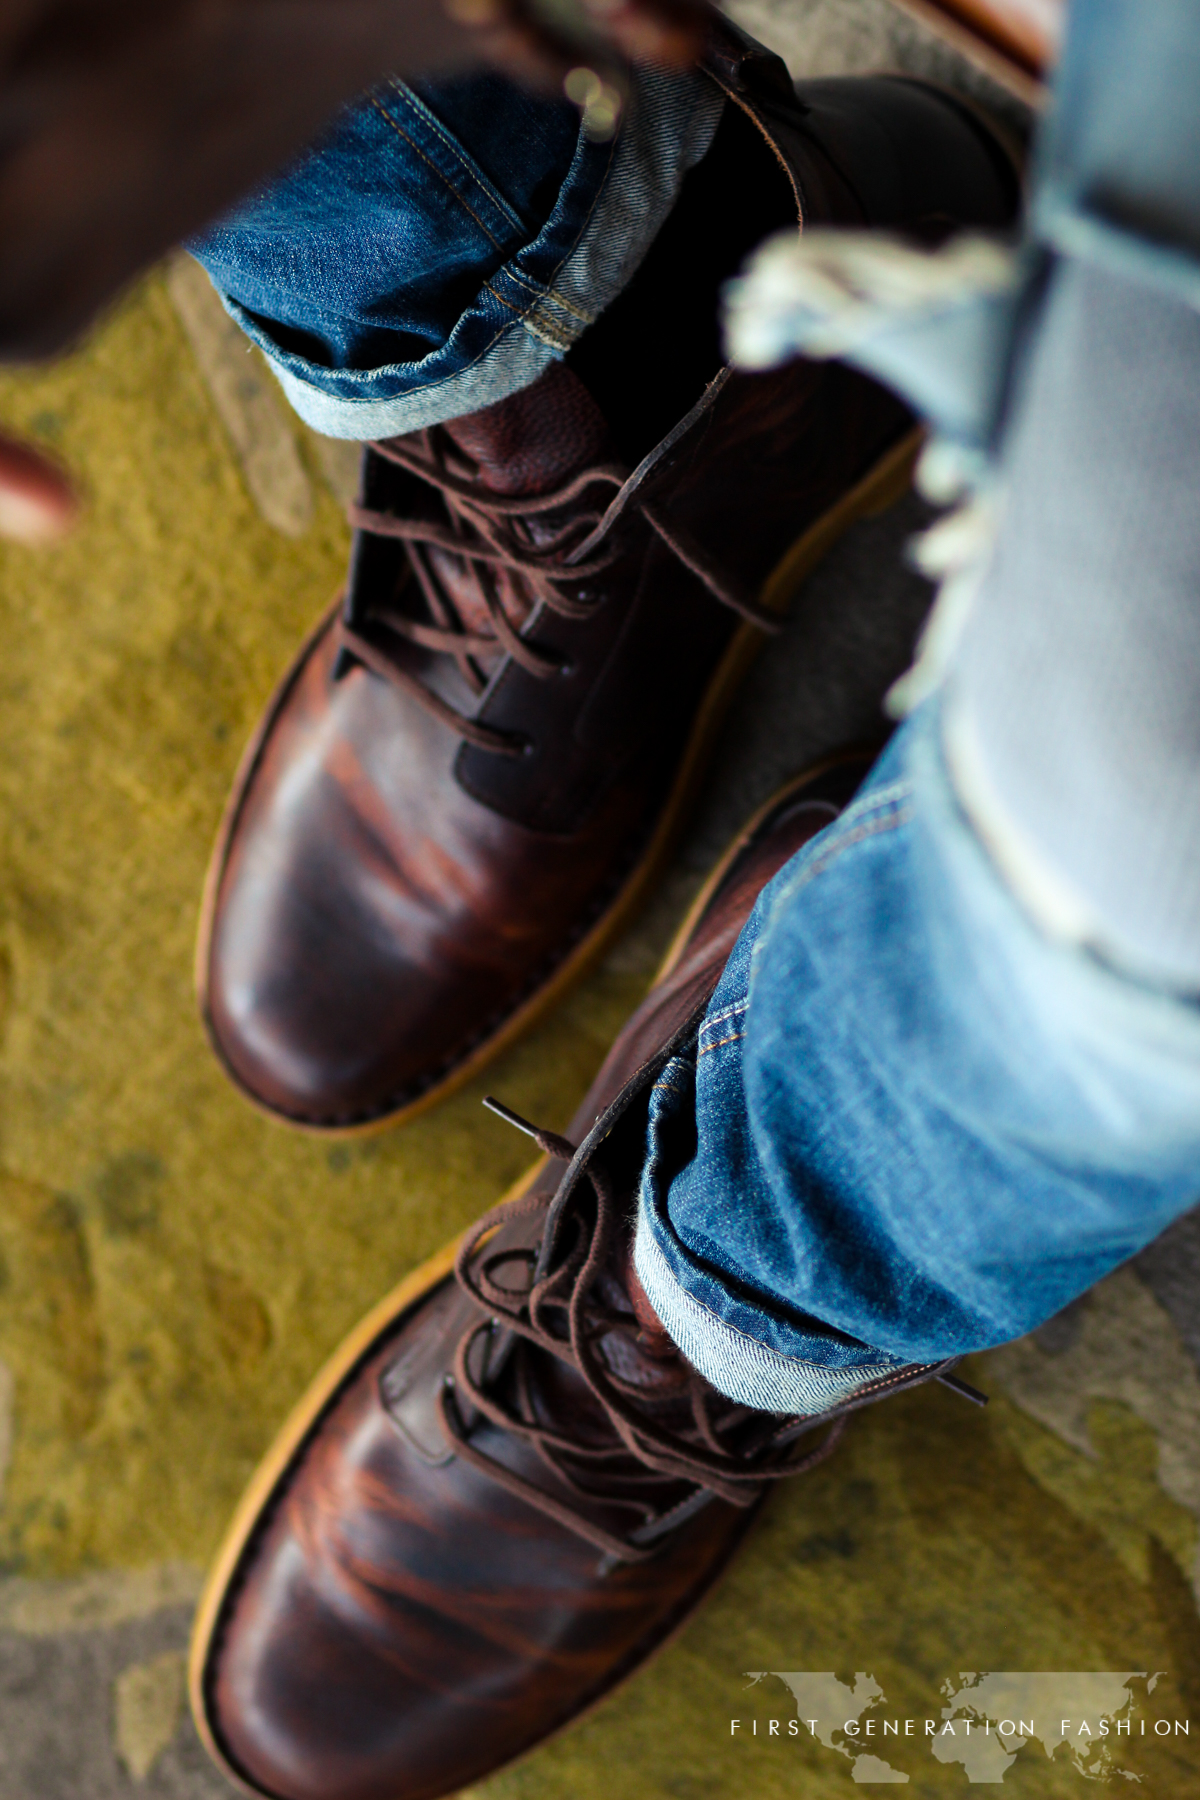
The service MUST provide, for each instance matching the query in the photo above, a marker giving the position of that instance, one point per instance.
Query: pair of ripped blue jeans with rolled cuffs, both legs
(913, 1124)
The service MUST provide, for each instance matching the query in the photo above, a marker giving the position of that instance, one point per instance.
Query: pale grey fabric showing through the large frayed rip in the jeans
(1073, 697)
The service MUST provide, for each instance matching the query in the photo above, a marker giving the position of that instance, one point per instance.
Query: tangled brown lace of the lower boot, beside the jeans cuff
(562, 1302)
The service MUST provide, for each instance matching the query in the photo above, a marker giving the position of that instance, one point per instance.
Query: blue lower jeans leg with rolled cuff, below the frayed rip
(911, 1126)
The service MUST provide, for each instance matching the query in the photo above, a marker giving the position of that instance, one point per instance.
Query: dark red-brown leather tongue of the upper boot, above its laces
(535, 440)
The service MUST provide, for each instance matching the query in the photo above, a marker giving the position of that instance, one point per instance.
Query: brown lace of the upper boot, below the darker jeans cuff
(548, 555)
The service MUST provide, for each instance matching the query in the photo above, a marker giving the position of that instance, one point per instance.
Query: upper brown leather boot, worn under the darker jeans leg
(478, 762)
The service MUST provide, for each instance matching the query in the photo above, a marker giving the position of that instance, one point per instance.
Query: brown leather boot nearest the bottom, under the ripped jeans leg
(505, 1493)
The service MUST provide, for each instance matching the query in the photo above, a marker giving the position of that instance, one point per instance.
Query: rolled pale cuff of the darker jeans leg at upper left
(544, 298)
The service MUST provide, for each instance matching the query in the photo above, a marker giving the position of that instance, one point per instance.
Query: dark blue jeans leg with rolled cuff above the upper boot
(445, 242)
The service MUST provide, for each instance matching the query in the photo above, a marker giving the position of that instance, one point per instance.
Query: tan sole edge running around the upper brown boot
(873, 494)
